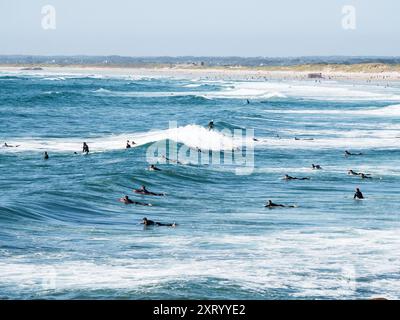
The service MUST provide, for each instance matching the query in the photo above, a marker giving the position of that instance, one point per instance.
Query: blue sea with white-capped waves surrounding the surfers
(63, 234)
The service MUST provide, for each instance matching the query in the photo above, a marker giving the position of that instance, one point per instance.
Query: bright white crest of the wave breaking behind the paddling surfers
(193, 136)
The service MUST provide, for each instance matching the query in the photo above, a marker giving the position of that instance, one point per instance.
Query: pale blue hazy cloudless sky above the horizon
(204, 27)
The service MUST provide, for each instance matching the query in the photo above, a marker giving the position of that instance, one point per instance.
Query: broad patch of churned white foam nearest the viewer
(331, 263)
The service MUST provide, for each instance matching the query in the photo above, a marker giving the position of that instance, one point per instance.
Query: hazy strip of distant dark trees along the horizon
(198, 61)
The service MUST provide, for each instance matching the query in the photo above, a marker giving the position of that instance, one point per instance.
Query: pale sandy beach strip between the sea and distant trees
(379, 73)
